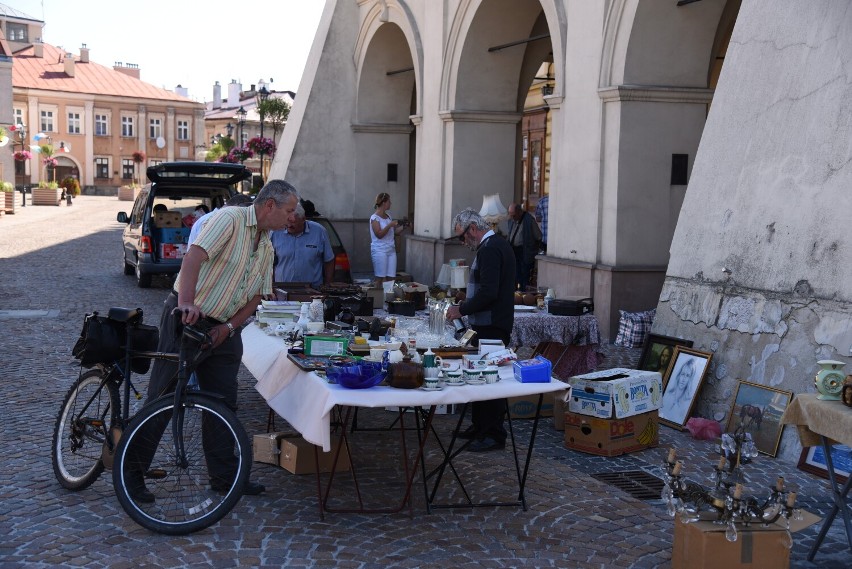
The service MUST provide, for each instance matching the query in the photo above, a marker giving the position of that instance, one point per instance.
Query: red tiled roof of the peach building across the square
(48, 73)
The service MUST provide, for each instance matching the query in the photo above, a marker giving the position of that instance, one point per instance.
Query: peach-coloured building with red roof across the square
(104, 124)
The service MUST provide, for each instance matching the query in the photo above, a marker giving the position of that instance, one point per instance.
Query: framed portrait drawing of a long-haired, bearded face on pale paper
(681, 383)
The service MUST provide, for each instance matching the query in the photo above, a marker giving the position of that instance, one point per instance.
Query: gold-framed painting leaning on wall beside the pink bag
(758, 409)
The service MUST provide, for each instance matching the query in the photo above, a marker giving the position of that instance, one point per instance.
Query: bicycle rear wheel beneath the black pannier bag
(90, 407)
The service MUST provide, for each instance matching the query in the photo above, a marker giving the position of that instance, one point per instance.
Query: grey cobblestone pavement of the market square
(60, 262)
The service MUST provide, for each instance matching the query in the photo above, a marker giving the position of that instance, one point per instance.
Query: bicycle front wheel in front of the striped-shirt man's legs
(175, 495)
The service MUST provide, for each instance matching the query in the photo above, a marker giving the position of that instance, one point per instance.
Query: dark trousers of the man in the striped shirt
(216, 373)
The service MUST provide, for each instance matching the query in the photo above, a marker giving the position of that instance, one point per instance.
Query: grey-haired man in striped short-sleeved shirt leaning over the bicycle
(223, 276)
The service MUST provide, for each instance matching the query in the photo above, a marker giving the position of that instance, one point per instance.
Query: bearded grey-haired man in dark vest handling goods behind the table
(490, 311)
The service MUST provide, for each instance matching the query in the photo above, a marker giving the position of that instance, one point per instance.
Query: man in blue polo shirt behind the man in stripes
(303, 252)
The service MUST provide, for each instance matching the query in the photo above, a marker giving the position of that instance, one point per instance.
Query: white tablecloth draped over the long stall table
(305, 400)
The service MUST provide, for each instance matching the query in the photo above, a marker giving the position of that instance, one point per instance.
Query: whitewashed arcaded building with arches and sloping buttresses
(746, 104)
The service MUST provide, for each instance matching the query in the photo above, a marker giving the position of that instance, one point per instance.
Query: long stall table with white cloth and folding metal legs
(306, 401)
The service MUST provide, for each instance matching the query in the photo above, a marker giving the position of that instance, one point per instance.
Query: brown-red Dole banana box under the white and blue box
(611, 437)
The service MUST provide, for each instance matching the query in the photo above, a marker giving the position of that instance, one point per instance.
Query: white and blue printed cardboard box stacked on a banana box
(616, 393)
